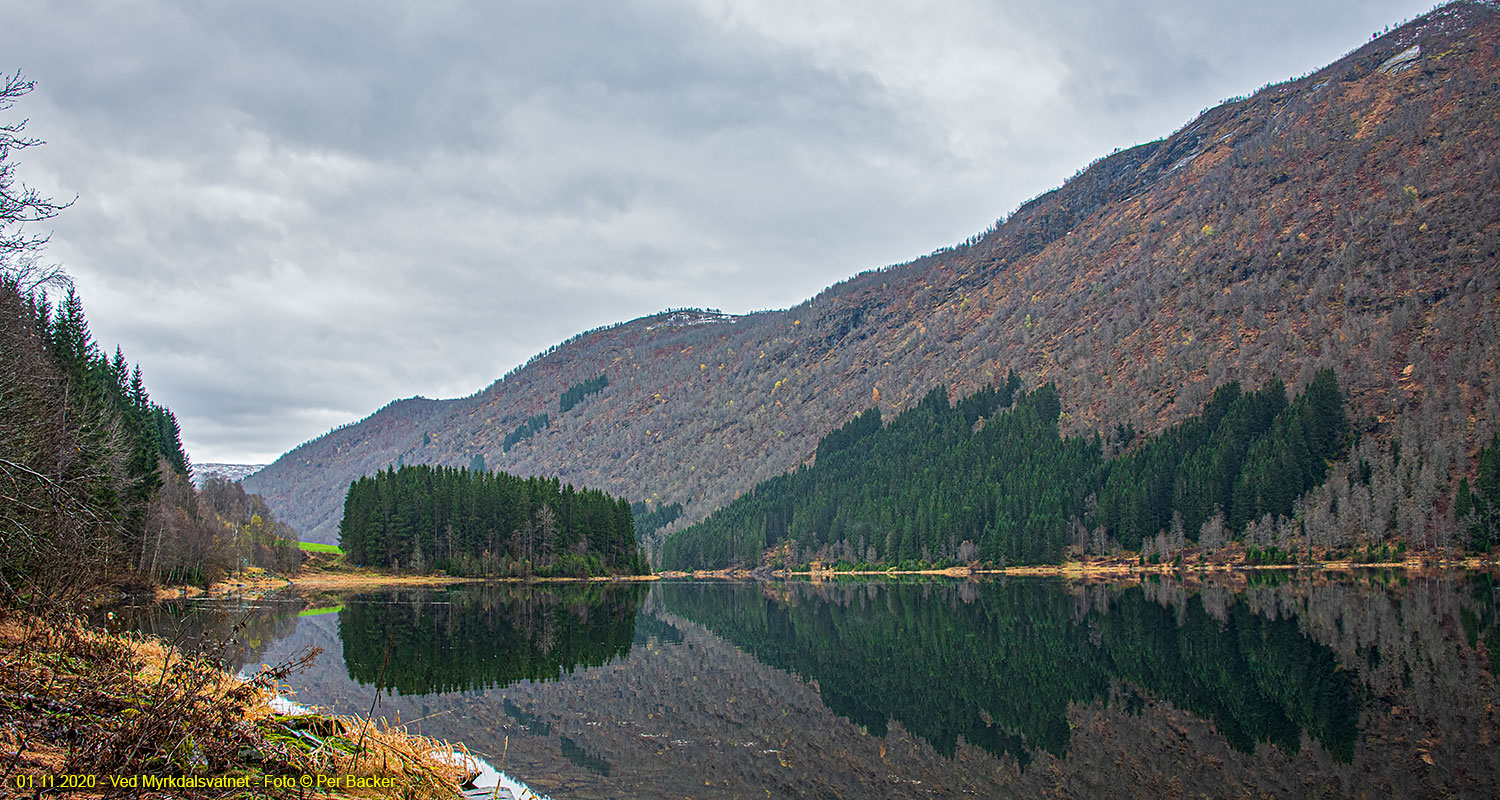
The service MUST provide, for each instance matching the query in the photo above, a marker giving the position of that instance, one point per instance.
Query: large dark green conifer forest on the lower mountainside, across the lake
(991, 481)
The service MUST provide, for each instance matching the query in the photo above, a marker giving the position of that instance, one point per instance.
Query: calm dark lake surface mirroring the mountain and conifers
(1373, 685)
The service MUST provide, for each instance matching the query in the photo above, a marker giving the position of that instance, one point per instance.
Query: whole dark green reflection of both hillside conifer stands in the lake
(1001, 664)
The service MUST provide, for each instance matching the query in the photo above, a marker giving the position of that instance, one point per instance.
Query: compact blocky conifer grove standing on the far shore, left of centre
(466, 523)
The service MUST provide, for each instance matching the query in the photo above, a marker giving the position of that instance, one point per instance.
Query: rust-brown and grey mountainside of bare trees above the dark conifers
(1346, 220)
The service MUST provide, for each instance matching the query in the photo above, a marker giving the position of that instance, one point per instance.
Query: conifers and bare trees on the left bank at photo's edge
(95, 484)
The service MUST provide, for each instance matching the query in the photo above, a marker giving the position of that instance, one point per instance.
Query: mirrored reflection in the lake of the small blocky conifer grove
(481, 637)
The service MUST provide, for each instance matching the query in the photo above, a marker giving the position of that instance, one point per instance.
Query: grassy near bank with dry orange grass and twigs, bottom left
(92, 708)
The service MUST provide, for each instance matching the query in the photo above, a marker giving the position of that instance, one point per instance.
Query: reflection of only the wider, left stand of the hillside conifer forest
(995, 672)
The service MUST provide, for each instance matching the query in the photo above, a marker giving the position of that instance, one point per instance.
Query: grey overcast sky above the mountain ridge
(292, 214)
